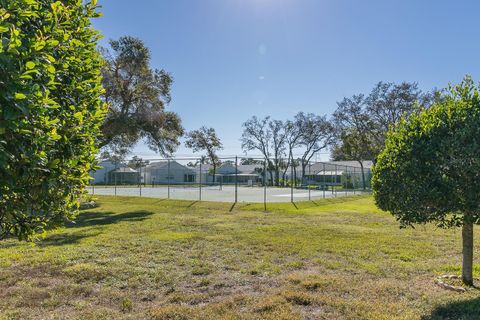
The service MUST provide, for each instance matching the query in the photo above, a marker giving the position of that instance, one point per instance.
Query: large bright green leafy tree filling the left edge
(50, 111)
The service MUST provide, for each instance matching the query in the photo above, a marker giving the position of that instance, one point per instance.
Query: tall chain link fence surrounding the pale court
(232, 179)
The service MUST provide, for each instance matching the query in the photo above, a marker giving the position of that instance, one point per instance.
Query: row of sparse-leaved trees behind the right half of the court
(355, 131)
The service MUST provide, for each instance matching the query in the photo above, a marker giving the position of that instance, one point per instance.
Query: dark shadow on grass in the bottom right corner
(458, 310)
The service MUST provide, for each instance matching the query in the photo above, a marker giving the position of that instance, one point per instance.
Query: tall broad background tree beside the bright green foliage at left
(137, 96)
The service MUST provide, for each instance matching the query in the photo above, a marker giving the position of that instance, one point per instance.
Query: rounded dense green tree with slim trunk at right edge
(429, 170)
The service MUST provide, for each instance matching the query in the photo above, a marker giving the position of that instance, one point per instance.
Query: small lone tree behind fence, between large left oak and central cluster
(205, 139)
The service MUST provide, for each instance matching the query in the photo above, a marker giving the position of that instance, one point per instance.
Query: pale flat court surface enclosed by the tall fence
(221, 194)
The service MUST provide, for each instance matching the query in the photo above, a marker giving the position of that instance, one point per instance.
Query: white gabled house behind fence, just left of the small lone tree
(165, 172)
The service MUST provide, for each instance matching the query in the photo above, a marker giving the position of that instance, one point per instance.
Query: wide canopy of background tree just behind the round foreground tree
(362, 121)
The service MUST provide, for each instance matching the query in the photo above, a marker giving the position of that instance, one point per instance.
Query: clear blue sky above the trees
(232, 59)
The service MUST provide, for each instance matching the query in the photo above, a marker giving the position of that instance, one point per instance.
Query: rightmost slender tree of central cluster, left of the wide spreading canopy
(316, 135)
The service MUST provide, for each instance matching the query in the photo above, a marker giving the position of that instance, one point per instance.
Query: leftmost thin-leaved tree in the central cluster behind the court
(257, 136)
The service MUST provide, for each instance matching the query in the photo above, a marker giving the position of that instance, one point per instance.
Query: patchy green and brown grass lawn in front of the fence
(139, 258)
